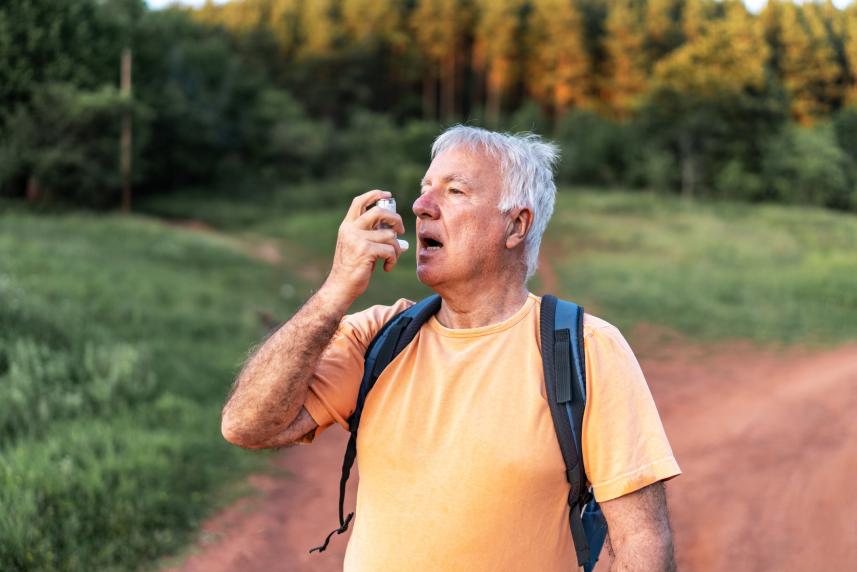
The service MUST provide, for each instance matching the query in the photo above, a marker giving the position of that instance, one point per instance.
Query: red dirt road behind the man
(766, 440)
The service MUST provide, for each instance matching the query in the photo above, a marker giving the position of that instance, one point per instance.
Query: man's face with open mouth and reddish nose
(461, 232)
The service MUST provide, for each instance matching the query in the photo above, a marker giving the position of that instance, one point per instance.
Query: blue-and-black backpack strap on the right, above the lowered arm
(561, 326)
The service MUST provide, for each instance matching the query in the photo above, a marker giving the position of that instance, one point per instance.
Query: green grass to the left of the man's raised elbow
(119, 338)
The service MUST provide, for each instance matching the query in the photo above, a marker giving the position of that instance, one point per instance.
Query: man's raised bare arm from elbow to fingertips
(265, 407)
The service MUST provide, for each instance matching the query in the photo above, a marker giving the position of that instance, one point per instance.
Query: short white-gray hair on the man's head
(526, 168)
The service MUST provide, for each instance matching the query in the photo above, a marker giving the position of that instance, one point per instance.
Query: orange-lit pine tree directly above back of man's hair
(558, 64)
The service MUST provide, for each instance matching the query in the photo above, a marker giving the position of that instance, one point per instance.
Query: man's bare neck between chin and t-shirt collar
(479, 305)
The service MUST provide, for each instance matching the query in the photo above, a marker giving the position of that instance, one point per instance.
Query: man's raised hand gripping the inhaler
(360, 244)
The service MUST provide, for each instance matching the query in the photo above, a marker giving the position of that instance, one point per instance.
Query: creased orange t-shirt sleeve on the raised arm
(334, 385)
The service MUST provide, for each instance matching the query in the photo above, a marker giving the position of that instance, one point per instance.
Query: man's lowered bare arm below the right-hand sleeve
(639, 529)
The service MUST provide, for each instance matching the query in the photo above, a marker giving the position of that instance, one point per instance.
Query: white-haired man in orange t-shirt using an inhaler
(460, 467)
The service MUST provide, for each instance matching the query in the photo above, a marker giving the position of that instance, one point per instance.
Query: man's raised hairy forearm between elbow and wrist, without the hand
(272, 385)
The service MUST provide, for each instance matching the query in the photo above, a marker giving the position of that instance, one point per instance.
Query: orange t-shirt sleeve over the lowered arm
(625, 447)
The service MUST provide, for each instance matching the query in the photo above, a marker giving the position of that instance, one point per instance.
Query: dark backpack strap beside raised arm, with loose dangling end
(388, 343)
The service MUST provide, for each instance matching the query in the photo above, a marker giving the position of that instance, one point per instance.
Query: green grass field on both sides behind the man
(119, 337)
